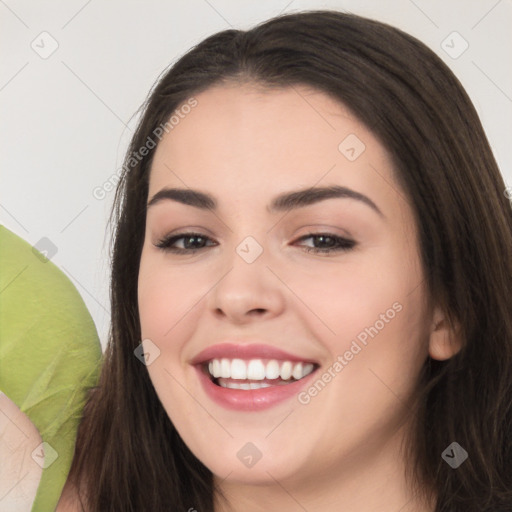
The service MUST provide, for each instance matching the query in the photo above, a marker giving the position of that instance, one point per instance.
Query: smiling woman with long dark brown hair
(313, 243)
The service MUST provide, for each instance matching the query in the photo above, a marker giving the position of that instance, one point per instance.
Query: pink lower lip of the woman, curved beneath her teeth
(250, 399)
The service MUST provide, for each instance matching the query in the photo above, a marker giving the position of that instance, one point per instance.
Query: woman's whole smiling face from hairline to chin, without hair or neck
(245, 289)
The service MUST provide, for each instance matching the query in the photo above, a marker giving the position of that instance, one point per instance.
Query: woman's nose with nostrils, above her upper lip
(247, 292)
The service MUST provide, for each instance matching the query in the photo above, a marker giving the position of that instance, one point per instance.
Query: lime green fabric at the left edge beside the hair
(50, 354)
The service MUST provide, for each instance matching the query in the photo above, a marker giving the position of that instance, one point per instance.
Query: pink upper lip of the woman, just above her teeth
(252, 351)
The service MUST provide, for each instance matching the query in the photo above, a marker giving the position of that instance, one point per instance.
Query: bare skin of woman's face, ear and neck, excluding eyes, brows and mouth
(245, 145)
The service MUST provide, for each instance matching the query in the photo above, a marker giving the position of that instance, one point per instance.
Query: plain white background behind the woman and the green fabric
(66, 119)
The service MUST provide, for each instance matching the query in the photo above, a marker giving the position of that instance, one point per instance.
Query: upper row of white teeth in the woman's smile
(256, 369)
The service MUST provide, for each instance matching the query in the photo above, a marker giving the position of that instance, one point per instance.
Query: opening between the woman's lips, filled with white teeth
(255, 373)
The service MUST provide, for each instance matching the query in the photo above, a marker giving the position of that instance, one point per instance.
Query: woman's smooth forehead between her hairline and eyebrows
(245, 137)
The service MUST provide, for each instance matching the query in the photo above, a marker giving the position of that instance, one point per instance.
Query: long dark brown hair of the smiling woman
(129, 456)
